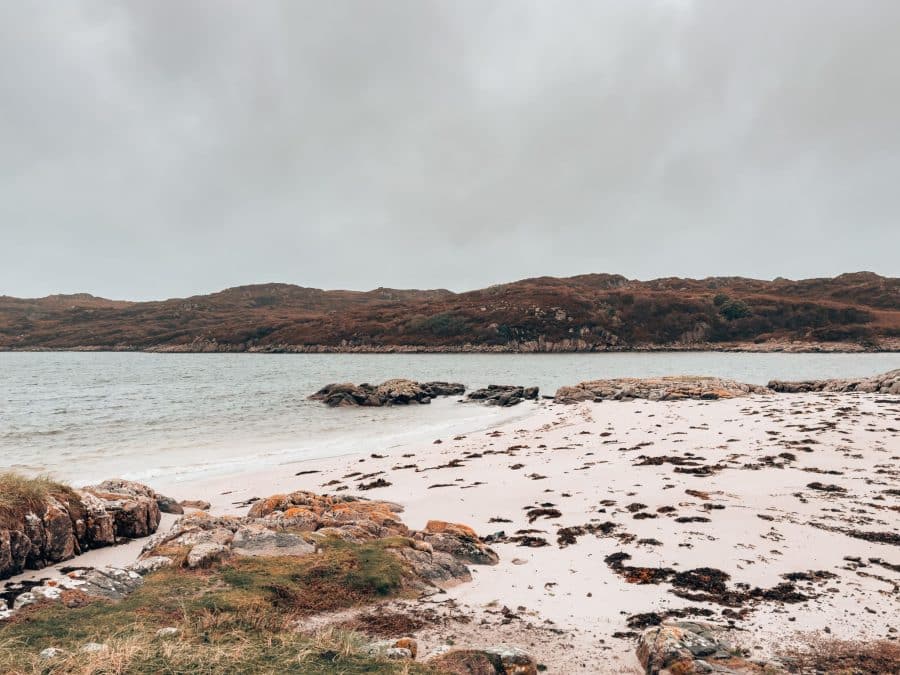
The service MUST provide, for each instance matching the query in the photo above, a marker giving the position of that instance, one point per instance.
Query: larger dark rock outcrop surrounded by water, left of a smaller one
(391, 392)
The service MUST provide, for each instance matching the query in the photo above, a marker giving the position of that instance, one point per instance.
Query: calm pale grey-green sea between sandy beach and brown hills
(87, 416)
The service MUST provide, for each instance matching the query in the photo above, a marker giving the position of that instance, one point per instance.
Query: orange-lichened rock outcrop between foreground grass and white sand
(298, 523)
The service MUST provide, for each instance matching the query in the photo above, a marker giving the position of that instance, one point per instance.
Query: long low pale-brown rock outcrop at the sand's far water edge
(673, 388)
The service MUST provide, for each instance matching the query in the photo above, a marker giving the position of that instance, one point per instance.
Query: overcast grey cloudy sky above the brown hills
(156, 149)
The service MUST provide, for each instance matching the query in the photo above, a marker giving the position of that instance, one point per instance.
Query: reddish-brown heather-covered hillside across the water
(582, 313)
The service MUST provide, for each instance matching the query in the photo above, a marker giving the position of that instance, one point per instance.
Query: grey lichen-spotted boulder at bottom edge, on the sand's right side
(695, 647)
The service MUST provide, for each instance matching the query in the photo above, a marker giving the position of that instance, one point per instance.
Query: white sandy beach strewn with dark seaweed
(736, 473)
